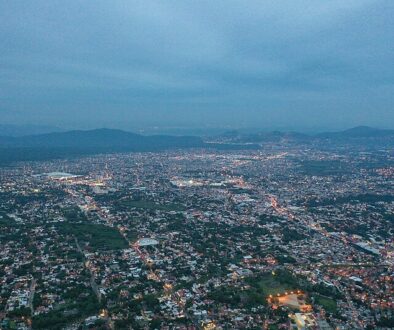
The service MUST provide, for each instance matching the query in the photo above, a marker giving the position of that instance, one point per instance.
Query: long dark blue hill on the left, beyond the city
(77, 143)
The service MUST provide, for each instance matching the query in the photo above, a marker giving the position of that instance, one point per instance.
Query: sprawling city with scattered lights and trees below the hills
(288, 236)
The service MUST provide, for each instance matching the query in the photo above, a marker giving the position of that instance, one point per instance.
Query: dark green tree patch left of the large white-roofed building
(99, 237)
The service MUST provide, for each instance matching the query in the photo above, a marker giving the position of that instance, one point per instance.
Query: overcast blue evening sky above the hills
(292, 64)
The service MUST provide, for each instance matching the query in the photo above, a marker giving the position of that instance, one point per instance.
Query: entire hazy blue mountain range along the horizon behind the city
(76, 143)
